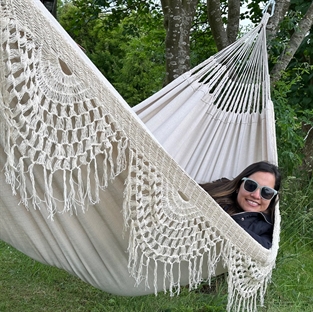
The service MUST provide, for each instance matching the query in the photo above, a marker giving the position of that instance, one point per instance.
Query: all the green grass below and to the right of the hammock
(29, 286)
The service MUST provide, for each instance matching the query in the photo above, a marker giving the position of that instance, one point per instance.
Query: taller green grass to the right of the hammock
(292, 283)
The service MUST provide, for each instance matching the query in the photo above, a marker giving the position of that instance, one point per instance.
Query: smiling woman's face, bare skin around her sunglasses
(253, 201)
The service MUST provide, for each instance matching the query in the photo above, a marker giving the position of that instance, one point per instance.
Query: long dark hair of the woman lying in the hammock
(224, 191)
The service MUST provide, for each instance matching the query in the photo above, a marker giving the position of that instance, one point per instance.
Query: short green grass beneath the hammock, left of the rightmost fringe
(29, 286)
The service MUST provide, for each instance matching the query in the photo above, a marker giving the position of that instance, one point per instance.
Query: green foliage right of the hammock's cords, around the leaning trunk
(293, 94)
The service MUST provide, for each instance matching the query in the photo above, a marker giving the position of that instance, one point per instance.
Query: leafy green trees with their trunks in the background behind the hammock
(124, 40)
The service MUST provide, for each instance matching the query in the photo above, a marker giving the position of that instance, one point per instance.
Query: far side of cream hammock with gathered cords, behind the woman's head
(218, 118)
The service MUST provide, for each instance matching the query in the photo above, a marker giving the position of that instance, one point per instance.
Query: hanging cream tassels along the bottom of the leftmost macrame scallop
(81, 184)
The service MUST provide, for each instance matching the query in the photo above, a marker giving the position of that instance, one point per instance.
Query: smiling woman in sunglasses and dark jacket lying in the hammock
(250, 199)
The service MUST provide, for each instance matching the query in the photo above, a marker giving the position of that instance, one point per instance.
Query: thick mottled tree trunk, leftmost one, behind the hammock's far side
(178, 19)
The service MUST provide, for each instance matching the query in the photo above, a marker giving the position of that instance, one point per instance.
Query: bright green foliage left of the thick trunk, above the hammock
(131, 56)
